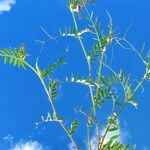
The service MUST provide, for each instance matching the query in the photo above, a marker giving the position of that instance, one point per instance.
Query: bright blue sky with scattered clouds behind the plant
(22, 98)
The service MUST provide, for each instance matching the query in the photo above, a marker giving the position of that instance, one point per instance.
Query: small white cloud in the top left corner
(5, 5)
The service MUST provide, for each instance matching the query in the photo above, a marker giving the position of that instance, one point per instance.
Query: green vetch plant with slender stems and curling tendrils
(102, 87)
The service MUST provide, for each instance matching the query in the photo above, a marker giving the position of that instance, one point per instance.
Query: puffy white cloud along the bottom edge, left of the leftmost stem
(30, 145)
